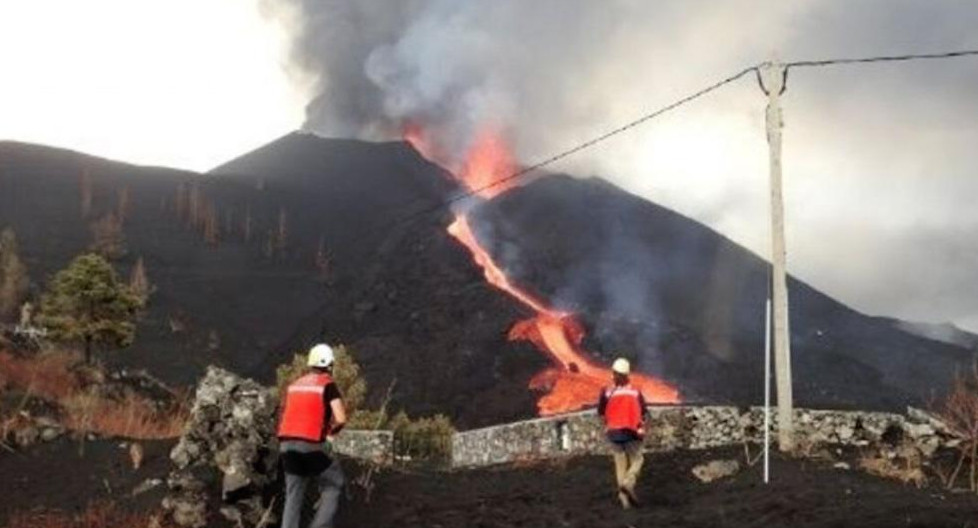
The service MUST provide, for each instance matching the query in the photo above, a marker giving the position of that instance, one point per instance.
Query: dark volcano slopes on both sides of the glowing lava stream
(309, 238)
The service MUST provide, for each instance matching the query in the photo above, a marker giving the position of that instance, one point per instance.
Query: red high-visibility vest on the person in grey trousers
(304, 417)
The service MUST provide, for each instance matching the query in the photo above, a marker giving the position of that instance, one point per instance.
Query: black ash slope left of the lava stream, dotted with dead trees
(407, 298)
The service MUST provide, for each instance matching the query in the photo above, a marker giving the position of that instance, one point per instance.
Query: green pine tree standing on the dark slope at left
(85, 303)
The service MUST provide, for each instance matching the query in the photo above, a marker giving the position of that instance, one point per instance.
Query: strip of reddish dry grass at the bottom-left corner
(100, 515)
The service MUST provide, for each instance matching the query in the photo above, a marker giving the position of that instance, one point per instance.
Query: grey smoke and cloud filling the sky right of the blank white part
(879, 161)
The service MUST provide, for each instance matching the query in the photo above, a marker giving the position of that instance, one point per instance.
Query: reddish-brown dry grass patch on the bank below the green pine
(50, 376)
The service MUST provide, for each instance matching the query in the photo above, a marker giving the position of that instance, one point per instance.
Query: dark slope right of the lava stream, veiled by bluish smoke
(688, 303)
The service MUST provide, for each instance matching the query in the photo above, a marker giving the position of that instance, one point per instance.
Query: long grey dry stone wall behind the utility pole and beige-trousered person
(692, 428)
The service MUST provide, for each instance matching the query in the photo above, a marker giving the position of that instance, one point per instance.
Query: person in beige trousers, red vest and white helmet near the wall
(624, 411)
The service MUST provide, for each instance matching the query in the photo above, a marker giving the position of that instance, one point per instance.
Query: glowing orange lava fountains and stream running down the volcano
(575, 381)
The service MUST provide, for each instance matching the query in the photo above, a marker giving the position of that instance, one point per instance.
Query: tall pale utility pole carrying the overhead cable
(773, 77)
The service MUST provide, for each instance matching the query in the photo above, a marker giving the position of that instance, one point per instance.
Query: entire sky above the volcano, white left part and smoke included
(880, 163)
